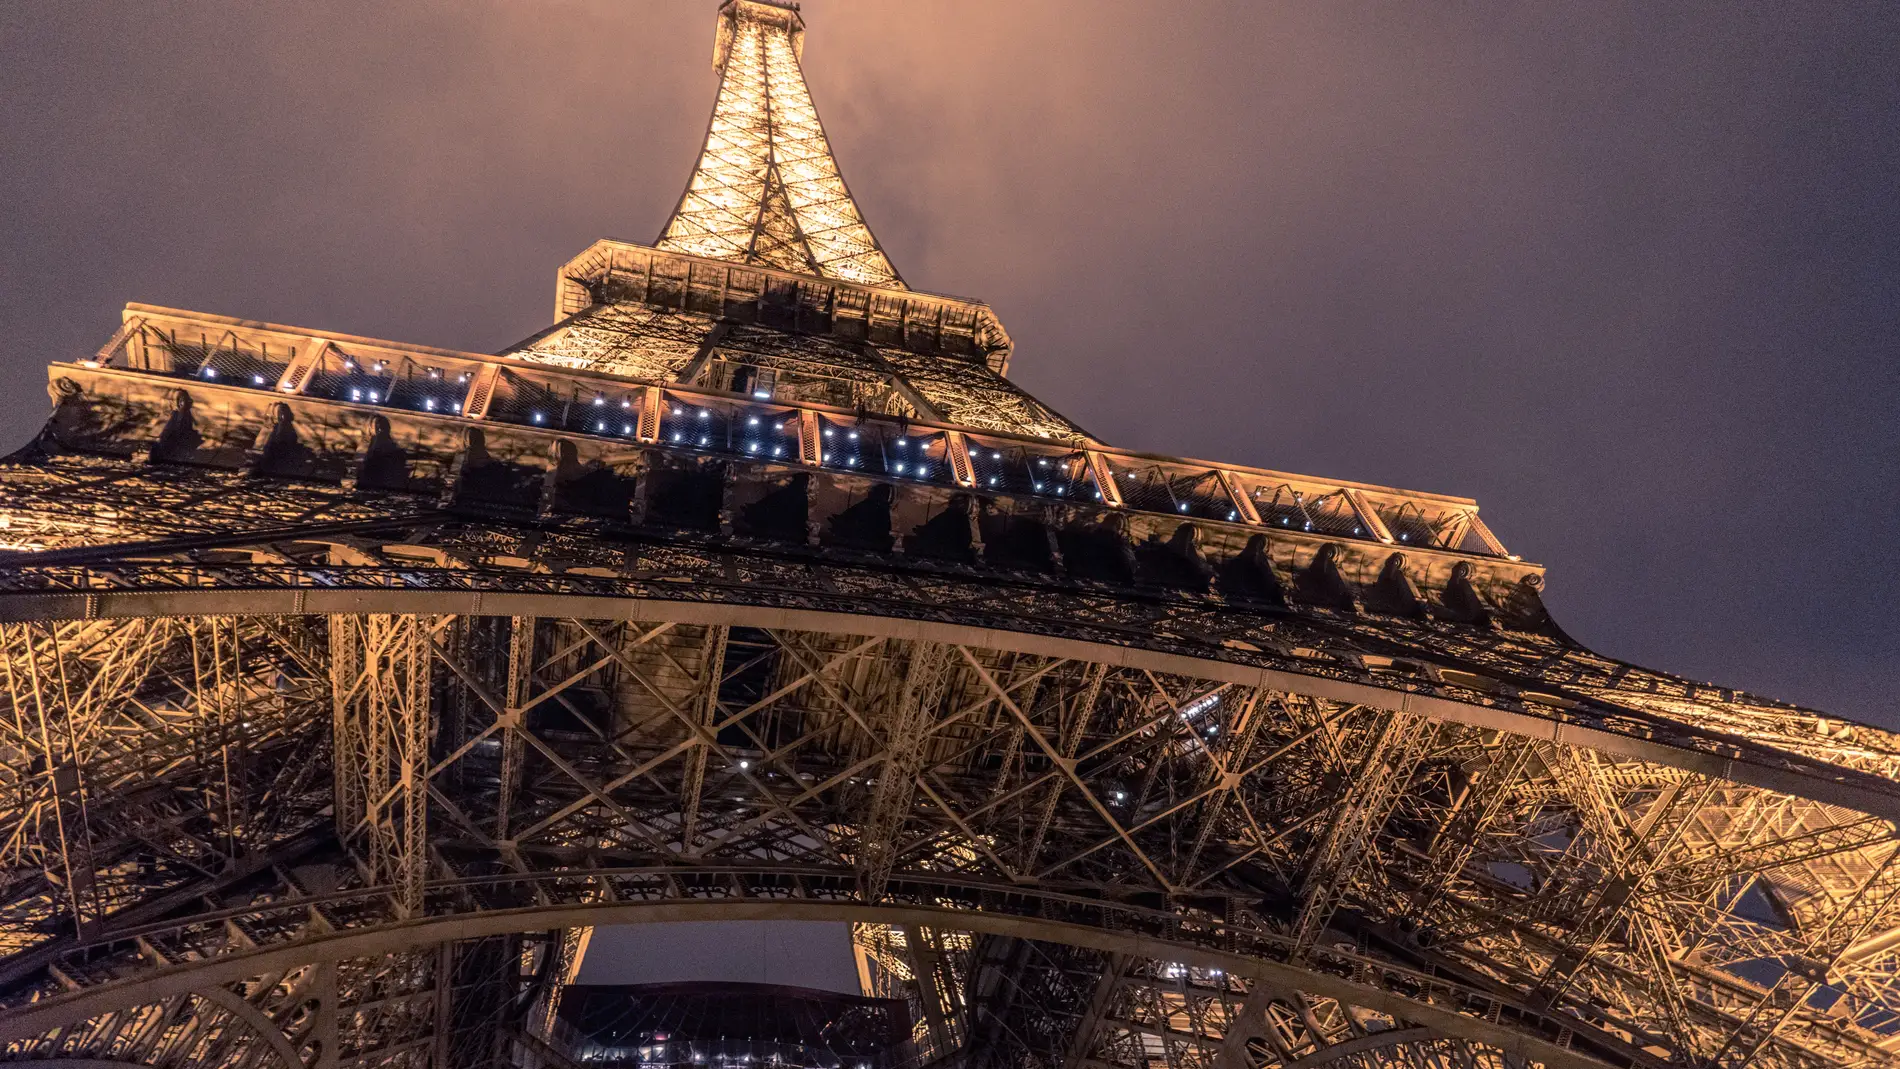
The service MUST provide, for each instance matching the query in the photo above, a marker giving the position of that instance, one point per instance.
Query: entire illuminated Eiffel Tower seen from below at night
(352, 683)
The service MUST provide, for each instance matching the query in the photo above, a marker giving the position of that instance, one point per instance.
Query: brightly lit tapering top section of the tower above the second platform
(767, 189)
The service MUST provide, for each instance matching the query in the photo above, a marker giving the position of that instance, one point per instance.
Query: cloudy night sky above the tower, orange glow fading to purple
(1627, 274)
